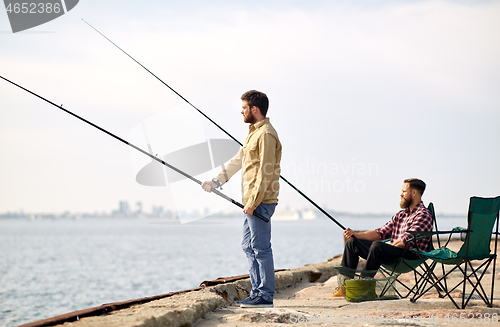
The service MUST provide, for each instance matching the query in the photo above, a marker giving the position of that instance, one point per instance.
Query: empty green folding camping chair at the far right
(481, 218)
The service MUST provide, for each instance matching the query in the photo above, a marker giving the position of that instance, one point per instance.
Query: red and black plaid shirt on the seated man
(419, 219)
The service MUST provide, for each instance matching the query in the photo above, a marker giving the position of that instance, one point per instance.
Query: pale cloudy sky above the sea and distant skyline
(363, 95)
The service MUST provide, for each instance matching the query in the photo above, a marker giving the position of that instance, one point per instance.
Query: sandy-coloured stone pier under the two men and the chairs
(302, 297)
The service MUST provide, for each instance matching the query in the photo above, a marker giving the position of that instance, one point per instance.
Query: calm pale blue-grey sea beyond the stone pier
(51, 267)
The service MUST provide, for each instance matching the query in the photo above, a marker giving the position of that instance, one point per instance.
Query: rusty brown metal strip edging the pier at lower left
(102, 309)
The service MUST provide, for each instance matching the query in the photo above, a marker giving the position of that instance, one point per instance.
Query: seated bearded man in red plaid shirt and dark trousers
(368, 245)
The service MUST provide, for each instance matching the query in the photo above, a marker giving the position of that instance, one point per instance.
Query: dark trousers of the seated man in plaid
(376, 253)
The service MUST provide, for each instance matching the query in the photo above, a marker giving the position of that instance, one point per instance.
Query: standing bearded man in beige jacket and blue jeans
(259, 161)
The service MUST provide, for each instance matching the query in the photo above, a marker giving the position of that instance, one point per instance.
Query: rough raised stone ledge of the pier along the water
(184, 307)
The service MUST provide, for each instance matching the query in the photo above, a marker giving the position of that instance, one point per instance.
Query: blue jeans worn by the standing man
(256, 244)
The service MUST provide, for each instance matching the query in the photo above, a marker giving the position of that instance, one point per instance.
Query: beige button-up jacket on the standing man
(259, 161)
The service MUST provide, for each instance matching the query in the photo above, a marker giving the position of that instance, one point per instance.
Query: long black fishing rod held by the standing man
(138, 149)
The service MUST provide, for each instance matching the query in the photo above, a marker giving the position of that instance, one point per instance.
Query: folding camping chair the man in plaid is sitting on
(402, 266)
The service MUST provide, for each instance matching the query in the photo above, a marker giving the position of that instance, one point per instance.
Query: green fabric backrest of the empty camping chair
(482, 215)
